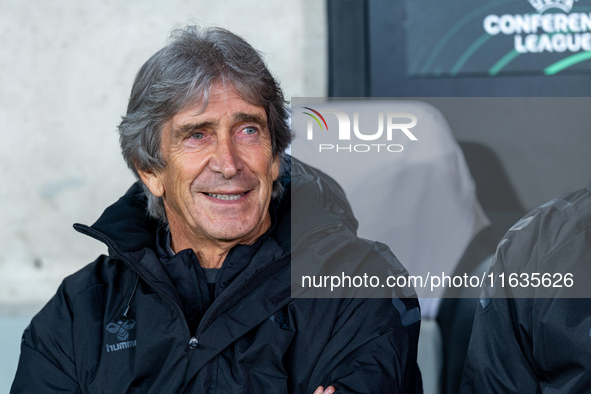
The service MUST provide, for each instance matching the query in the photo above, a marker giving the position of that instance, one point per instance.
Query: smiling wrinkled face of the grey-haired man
(219, 170)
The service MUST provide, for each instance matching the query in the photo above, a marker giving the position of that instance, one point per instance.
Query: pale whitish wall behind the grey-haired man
(66, 70)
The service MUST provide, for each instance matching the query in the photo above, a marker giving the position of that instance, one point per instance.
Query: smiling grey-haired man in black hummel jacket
(194, 296)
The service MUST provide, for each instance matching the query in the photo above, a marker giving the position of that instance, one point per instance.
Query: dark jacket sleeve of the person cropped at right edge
(500, 356)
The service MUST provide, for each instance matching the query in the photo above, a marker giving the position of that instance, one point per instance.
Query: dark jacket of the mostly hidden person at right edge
(532, 343)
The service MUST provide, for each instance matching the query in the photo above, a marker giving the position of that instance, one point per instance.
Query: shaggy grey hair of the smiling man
(180, 75)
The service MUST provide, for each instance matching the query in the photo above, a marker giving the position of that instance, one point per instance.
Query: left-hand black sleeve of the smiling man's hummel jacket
(46, 363)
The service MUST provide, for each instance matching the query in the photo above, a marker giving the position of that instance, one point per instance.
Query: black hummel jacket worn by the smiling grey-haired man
(254, 338)
